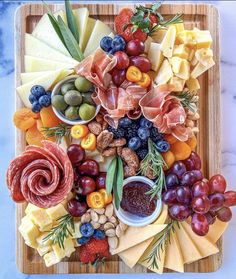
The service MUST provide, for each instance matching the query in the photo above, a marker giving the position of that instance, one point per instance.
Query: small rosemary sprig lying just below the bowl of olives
(59, 131)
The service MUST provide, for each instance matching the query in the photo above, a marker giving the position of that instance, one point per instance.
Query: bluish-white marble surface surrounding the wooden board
(8, 267)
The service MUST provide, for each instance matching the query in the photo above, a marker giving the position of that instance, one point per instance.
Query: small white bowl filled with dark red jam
(137, 209)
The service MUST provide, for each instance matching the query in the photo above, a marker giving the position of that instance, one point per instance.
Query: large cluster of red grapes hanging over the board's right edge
(189, 194)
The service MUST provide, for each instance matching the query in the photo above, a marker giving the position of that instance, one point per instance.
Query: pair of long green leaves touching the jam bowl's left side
(114, 180)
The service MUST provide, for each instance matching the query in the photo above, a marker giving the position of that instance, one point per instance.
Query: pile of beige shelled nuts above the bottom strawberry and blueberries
(105, 219)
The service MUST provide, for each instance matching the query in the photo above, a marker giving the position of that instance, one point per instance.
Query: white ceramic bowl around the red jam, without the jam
(134, 220)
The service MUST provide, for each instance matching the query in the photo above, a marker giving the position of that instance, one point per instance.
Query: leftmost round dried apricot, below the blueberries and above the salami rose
(24, 119)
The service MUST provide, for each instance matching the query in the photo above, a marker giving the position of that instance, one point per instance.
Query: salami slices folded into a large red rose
(42, 176)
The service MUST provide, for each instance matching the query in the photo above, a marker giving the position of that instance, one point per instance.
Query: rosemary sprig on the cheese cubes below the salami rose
(59, 233)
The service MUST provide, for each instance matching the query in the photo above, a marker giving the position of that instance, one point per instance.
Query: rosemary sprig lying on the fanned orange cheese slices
(159, 243)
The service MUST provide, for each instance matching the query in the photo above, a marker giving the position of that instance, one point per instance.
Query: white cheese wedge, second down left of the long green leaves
(37, 48)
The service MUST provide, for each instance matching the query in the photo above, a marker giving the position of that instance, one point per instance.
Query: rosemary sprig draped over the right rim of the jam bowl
(153, 163)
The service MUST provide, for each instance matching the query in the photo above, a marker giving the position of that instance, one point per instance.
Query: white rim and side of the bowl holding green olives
(59, 114)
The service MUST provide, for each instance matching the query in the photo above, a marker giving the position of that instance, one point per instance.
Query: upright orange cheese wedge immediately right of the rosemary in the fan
(174, 258)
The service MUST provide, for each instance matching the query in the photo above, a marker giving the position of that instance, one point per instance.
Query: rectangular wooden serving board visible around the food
(209, 146)
